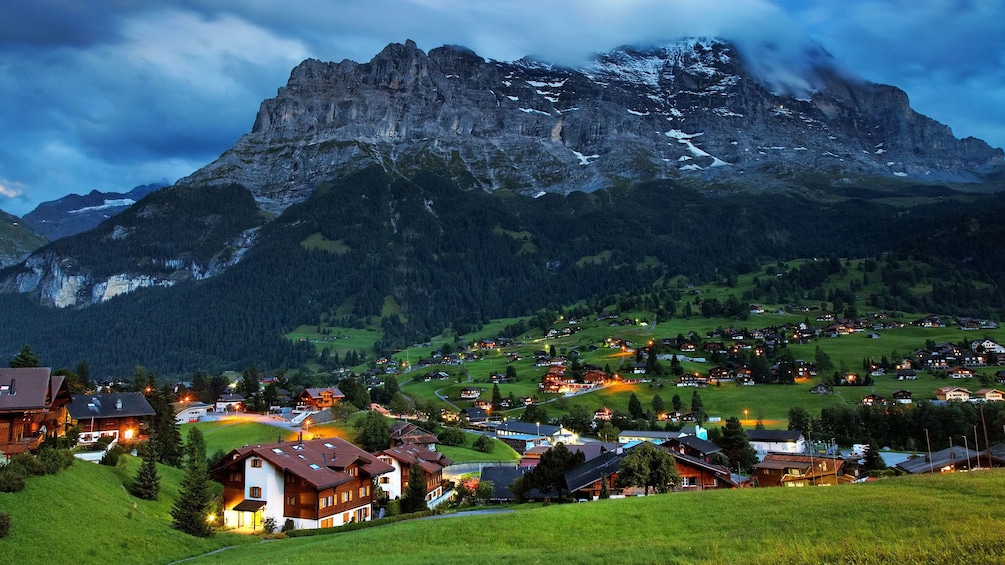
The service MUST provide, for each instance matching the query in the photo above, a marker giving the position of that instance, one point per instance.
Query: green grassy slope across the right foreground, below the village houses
(940, 519)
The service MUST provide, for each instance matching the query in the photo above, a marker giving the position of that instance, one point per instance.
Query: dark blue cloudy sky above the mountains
(112, 94)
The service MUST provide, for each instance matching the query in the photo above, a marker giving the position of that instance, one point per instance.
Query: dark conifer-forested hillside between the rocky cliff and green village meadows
(415, 257)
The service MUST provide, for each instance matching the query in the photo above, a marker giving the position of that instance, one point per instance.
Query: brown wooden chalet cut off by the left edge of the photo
(33, 407)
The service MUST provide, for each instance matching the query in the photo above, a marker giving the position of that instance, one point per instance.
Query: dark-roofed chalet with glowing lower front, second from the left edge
(117, 416)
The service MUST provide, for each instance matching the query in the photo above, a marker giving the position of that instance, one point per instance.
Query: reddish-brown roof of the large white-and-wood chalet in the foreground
(322, 463)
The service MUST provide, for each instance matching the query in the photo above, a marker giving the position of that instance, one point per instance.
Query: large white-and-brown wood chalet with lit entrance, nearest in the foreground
(316, 484)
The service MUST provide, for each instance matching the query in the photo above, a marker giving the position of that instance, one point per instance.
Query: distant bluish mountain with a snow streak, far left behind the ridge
(75, 214)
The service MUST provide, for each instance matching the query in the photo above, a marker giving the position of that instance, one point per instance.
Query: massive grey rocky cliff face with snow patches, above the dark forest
(687, 109)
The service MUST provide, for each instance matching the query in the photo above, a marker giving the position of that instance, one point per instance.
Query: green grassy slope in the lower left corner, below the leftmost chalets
(86, 515)
